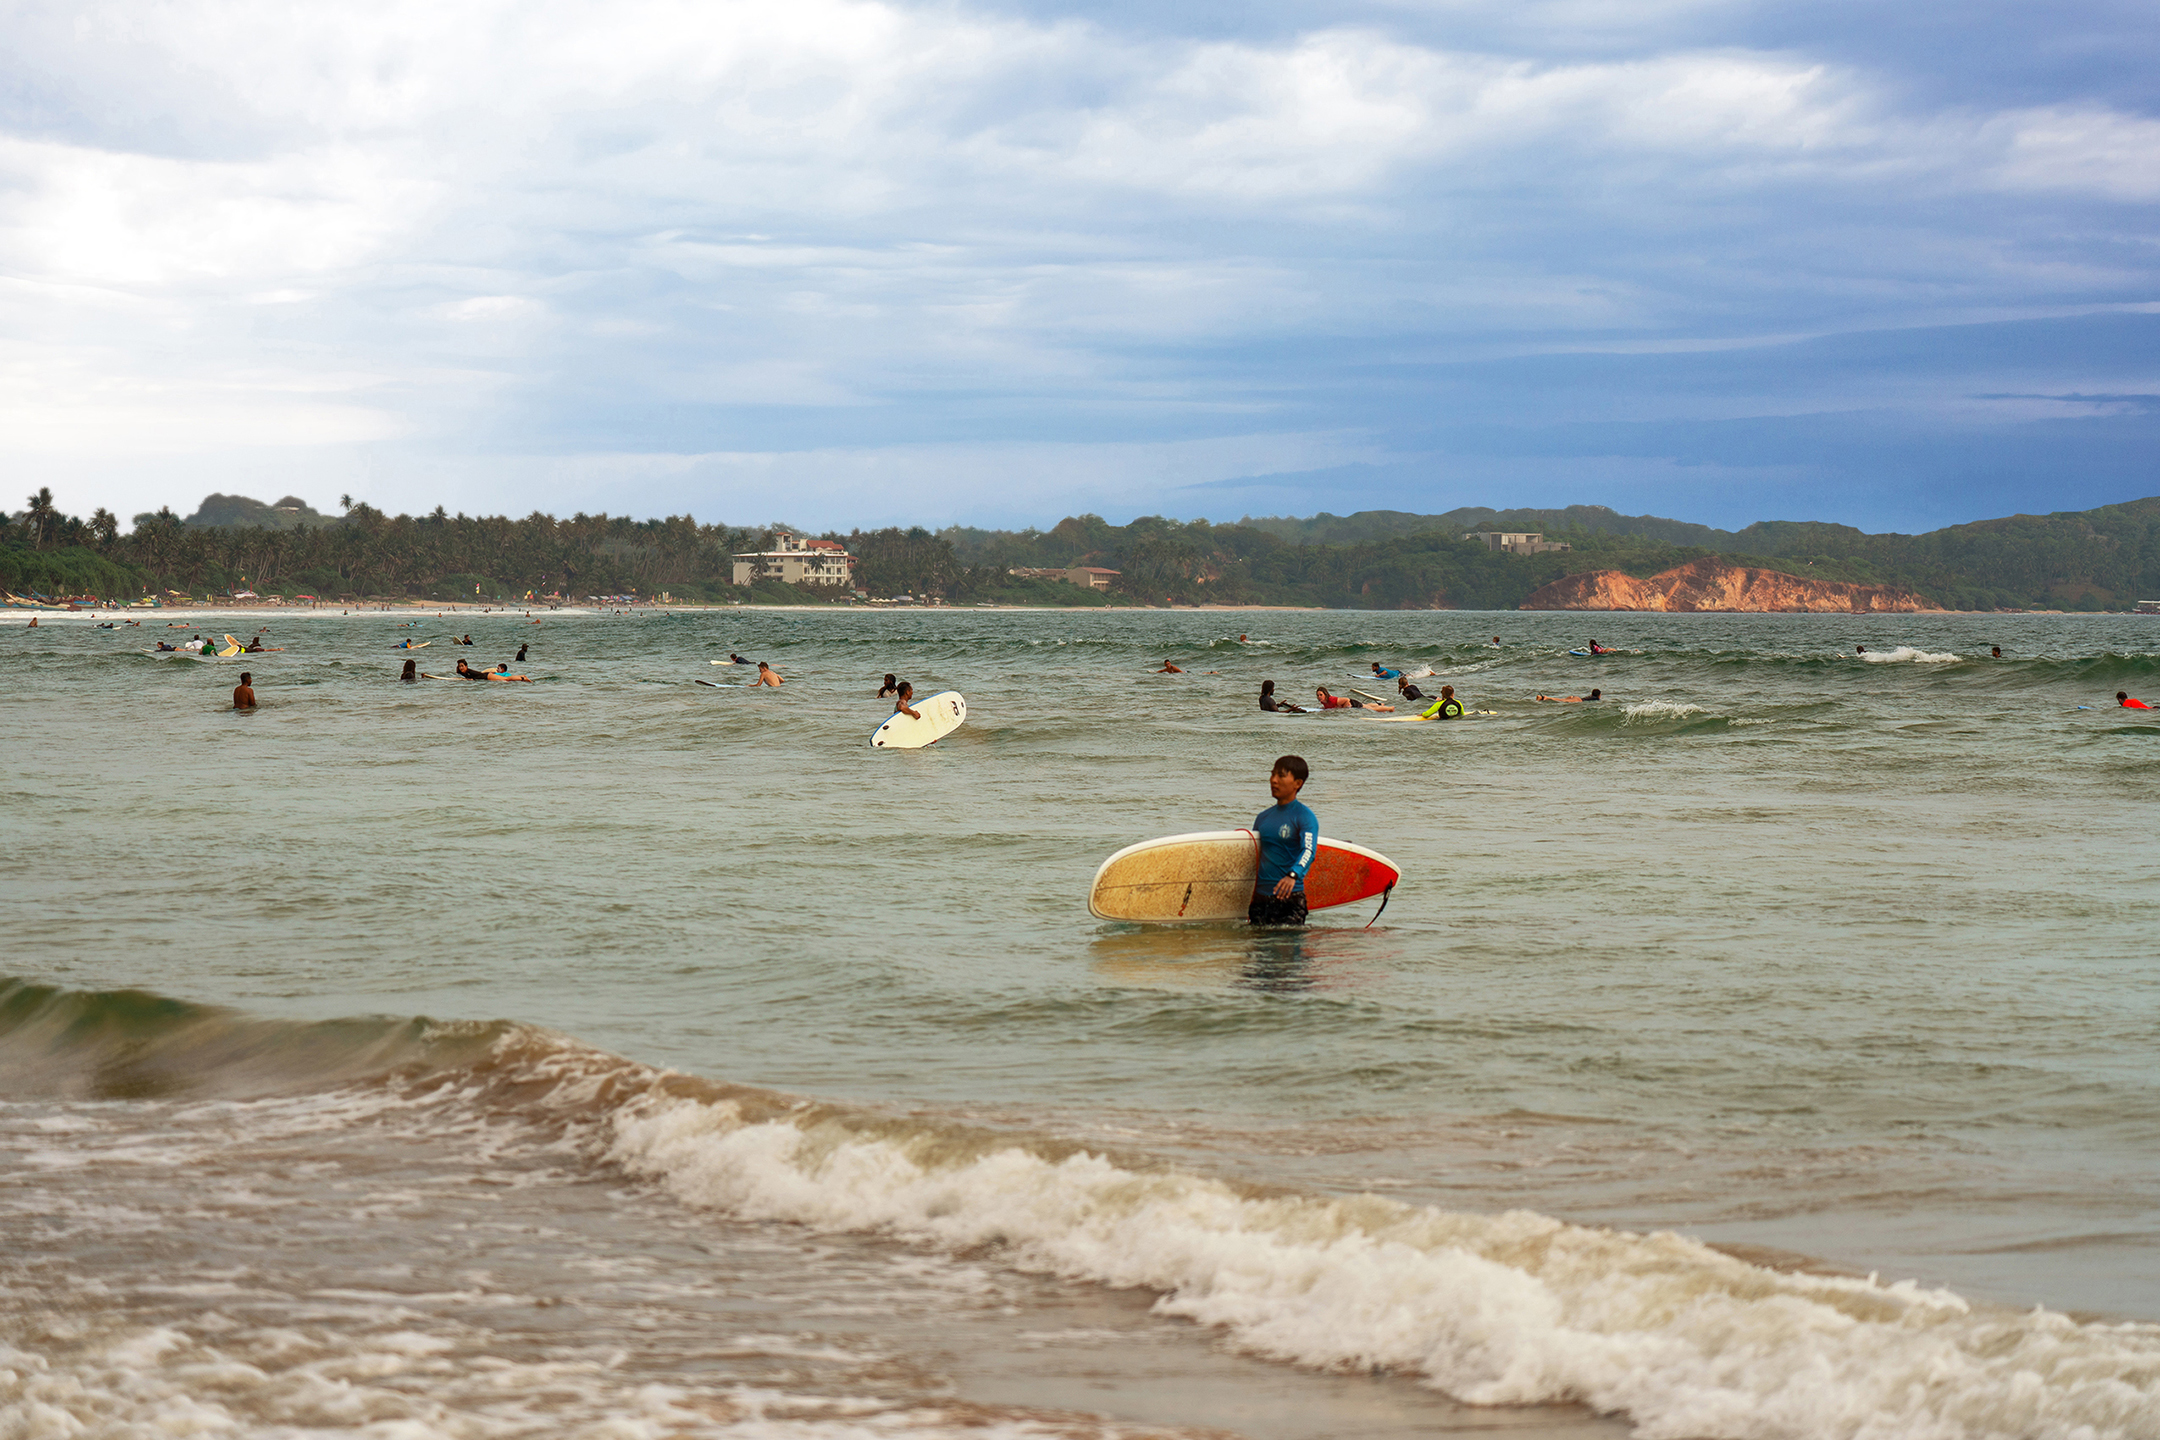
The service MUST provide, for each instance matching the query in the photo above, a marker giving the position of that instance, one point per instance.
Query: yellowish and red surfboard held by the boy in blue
(1211, 878)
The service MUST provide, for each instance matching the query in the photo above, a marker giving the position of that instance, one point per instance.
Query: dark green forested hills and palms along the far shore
(2103, 558)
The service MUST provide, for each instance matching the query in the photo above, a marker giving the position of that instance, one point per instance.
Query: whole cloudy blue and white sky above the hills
(841, 262)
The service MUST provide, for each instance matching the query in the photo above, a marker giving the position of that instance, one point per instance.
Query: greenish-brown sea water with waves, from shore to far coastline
(1764, 1050)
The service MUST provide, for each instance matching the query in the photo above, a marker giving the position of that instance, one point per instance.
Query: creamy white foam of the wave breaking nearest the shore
(1494, 1309)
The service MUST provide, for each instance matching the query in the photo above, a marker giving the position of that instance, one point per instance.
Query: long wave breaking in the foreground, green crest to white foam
(1504, 1309)
